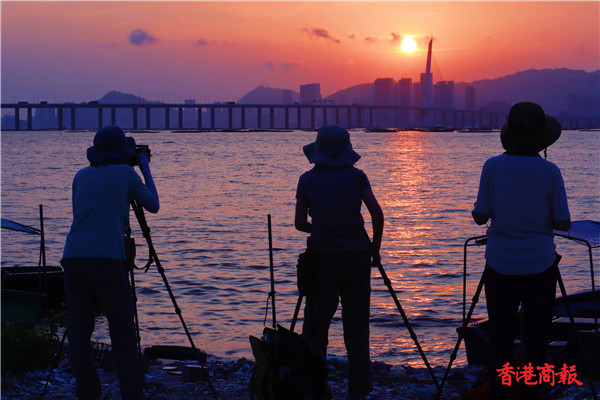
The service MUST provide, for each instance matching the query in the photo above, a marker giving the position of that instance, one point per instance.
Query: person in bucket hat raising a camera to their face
(93, 259)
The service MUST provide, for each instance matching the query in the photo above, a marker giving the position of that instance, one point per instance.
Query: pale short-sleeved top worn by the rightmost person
(523, 195)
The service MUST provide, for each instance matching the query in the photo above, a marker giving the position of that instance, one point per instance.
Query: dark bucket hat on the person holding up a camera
(111, 146)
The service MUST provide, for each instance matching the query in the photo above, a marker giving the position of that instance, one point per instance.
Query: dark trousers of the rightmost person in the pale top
(536, 293)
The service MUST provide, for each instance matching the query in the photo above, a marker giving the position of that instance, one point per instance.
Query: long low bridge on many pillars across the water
(232, 116)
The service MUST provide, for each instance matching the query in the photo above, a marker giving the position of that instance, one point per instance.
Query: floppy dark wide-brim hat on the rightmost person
(529, 128)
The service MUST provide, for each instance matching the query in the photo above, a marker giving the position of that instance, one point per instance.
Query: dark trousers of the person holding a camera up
(87, 282)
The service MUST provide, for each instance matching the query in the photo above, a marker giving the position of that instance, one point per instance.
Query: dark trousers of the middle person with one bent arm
(345, 276)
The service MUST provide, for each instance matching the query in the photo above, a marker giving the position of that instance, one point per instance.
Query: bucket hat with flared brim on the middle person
(332, 148)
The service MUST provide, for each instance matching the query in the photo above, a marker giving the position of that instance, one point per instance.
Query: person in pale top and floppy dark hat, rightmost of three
(524, 196)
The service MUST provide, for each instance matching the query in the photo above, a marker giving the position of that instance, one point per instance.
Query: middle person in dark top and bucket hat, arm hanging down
(332, 193)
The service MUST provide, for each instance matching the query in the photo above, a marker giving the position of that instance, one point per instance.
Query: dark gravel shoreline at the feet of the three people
(165, 379)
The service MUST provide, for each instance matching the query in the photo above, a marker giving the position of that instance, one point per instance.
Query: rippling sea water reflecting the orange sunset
(211, 233)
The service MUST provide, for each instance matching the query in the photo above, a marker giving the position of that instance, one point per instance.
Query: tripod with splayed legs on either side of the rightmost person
(466, 320)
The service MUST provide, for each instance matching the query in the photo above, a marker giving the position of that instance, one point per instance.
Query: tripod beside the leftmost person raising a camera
(153, 258)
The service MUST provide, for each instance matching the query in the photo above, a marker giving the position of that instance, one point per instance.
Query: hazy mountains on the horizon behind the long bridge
(557, 90)
